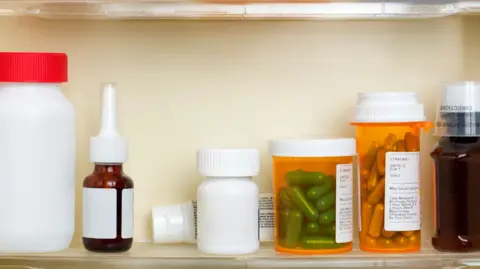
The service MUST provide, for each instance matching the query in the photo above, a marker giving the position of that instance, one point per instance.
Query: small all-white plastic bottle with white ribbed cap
(228, 201)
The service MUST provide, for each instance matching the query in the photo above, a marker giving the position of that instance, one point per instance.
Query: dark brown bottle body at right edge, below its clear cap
(457, 193)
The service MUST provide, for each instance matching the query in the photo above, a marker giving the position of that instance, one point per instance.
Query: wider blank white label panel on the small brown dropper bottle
(99, 213)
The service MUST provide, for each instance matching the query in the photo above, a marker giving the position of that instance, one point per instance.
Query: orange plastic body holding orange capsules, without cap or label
(374, 140)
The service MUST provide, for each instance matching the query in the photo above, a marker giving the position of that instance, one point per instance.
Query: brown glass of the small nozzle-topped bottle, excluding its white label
(109, 176)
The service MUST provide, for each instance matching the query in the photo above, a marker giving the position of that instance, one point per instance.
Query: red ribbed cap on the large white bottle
(33, 67)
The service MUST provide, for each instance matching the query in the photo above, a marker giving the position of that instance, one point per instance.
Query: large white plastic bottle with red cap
(37, 154)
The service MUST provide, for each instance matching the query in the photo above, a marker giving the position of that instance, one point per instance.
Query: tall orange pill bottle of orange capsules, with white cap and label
(388, 127)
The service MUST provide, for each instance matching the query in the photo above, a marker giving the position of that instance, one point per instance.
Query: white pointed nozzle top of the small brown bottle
(109, 146)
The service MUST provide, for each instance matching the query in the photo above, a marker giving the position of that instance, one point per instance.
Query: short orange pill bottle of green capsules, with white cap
(313, 204)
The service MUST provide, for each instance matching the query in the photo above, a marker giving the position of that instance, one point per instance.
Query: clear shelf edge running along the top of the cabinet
(236, 9)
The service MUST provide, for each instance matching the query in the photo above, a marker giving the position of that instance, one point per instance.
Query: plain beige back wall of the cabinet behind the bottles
(185, 85)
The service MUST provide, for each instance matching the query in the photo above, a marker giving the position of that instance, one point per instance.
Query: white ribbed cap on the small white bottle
(228, 162)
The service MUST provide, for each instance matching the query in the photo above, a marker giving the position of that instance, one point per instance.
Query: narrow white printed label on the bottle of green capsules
(344, 204)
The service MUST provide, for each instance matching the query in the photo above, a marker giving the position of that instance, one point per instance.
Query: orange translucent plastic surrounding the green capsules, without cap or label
(281, 166)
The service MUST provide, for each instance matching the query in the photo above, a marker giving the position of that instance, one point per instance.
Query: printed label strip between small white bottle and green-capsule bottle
(266, 217)
